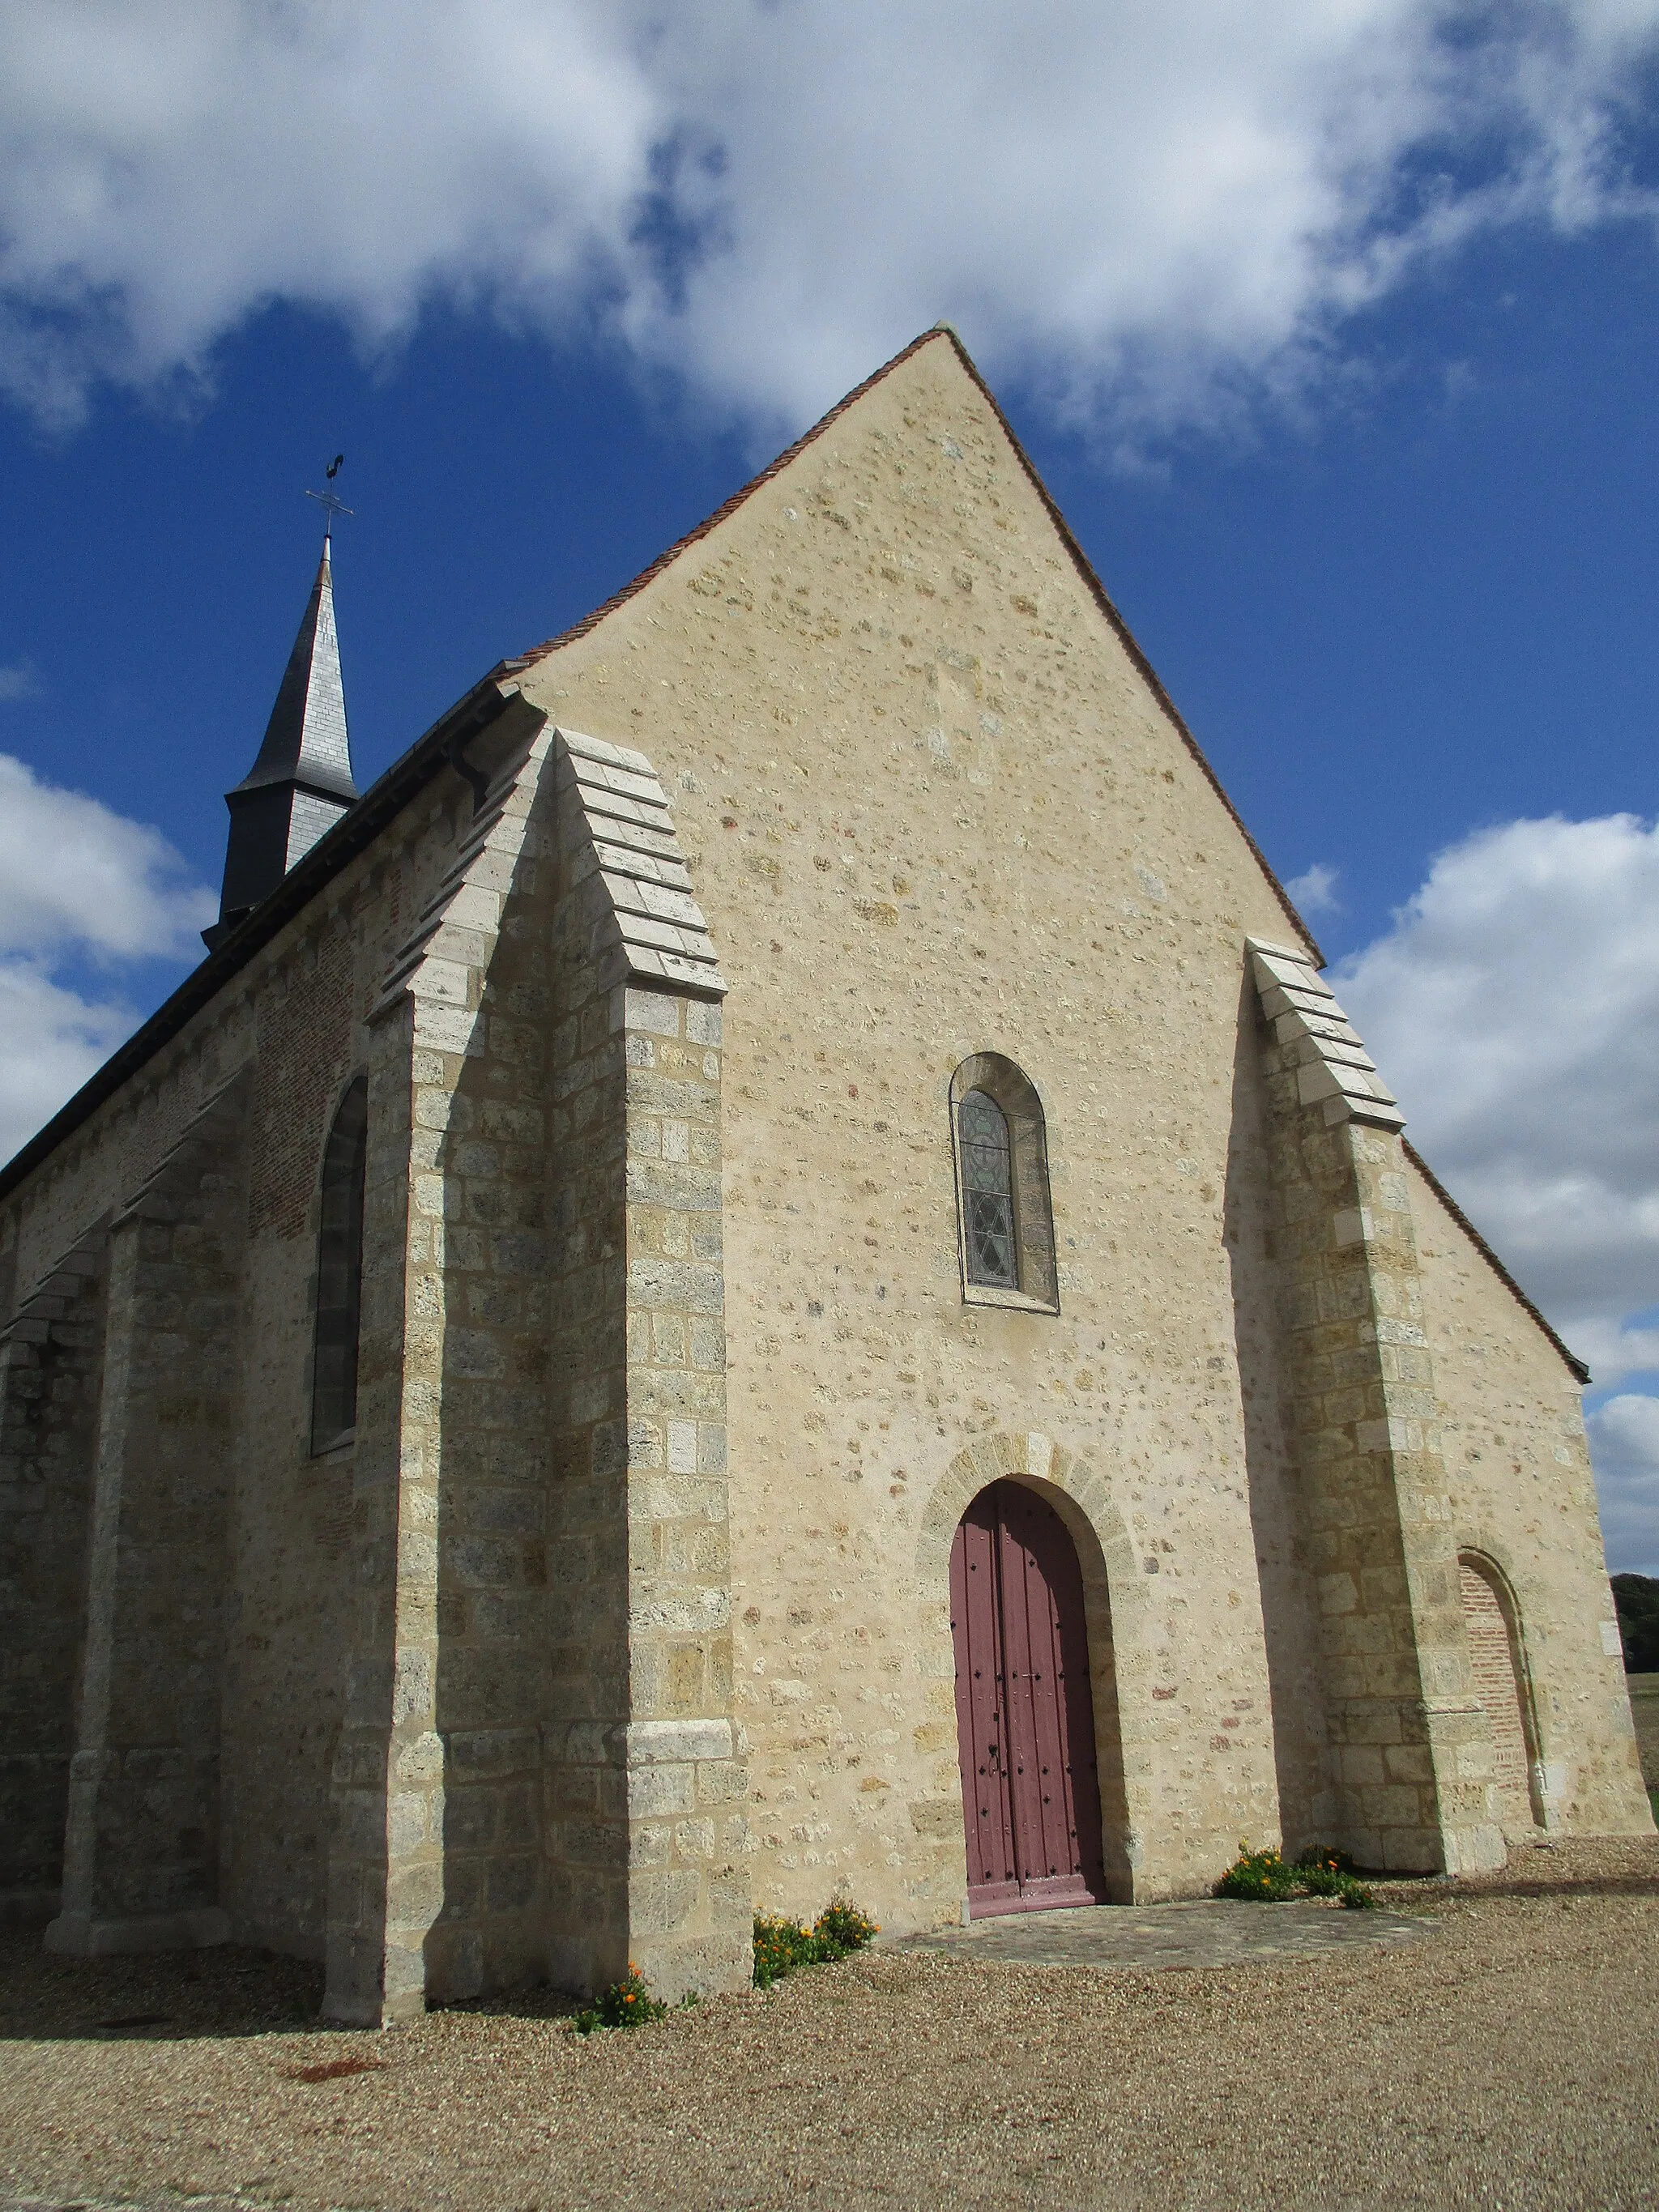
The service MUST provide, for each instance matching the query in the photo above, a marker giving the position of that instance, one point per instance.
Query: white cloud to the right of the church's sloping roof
(1514, 1008)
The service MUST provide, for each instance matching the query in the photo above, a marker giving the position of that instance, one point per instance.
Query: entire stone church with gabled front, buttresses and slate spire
(791, 1098)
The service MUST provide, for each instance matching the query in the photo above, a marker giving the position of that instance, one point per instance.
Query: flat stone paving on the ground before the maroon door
(1162, 1939)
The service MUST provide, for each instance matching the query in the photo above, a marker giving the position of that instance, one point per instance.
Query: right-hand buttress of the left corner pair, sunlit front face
(647, 1837)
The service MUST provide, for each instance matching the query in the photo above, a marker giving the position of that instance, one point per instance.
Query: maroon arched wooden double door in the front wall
(1025, 1715)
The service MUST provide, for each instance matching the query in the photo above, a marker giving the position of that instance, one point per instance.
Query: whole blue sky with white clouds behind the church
(1337, 348)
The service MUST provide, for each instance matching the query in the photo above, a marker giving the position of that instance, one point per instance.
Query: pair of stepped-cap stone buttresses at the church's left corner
(539, 1771)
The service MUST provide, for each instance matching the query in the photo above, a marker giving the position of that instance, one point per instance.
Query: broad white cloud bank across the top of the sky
(1154, 205)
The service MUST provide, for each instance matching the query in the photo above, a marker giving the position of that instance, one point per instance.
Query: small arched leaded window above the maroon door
(1008, 1233)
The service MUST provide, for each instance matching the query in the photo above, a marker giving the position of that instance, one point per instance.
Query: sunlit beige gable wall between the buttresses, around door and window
(932, 811)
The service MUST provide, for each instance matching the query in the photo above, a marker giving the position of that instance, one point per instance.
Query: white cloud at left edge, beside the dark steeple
(76, 884)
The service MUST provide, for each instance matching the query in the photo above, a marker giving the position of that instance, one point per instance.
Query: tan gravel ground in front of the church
(1505, 2063)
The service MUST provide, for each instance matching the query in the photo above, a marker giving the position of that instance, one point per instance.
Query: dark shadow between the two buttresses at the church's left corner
(508, 1671)
